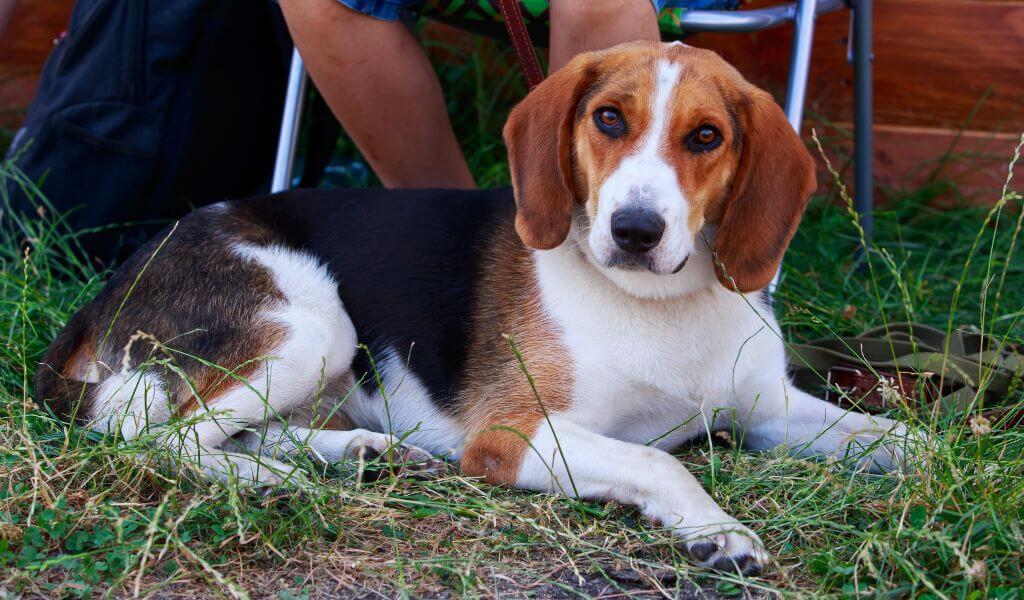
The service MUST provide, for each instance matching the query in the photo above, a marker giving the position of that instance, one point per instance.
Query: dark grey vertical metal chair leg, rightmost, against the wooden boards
(864, 94)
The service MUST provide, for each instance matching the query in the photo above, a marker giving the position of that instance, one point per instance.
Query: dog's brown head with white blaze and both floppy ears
(639, 153)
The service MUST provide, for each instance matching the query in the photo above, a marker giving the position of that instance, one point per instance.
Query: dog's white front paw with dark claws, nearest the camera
(726, 545)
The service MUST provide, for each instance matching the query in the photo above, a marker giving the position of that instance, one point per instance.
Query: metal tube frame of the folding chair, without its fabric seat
(802, 14)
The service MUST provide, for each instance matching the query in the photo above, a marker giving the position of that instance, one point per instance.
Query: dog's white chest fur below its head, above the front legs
(656, 371)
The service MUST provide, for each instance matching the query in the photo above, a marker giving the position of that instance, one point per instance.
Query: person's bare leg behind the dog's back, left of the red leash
(378, 82)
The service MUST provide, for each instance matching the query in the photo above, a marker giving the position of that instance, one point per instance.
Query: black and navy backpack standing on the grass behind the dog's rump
(149, 108)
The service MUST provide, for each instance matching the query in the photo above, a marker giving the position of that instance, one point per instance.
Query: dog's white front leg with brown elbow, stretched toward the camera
(569, 459)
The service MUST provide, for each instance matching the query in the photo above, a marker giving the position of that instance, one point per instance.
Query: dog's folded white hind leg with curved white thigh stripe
(297, 348)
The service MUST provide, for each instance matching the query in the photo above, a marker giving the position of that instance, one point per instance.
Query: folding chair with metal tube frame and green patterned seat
(678, 20)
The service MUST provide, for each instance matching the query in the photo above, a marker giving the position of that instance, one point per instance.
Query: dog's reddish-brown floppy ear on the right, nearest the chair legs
(772, 189)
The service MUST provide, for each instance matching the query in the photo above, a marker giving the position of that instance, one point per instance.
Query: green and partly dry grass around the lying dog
(82, 516)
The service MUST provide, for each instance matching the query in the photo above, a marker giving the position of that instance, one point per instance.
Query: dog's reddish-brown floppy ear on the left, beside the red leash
(539, 137)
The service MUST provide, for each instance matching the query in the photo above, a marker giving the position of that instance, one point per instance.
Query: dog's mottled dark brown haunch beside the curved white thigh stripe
(212, 312)
